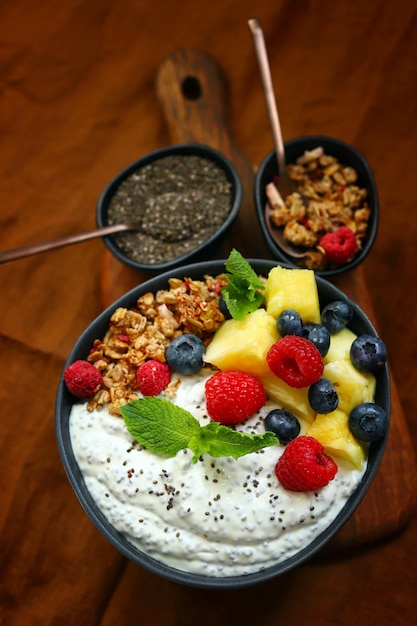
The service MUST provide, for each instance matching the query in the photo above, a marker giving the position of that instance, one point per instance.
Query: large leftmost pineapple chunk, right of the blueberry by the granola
(243, 344)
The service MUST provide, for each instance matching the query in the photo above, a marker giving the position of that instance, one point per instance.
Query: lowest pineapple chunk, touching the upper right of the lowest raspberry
(332, 430)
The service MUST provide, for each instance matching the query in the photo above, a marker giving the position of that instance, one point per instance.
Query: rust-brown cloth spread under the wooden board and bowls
(77, 104)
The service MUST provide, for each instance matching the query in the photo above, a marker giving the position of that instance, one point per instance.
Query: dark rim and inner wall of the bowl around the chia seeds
(189, 148)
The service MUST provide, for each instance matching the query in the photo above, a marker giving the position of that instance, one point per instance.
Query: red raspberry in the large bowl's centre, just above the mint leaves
(233, 396)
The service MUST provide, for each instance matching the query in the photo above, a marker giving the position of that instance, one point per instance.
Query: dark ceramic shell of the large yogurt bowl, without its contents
(327, 293)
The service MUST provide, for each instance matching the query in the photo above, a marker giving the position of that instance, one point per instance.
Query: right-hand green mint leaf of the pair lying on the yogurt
(218, 440)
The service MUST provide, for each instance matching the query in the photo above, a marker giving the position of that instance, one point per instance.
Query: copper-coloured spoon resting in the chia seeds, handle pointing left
(19, 253)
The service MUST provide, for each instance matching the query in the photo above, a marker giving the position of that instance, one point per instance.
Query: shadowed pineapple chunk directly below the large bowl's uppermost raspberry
(290, 398)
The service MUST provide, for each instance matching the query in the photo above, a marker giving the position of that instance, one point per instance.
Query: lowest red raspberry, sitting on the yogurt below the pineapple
(304, 466)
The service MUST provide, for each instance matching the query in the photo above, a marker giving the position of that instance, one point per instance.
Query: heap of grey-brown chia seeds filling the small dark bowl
(177, 201)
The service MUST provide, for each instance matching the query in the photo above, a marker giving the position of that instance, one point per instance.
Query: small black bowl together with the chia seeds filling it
(182, 199)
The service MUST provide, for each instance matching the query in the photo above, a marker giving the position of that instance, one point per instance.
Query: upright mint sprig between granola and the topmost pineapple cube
(242, 294)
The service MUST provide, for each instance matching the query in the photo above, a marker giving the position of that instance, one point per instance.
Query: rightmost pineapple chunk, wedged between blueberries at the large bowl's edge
(353, 387)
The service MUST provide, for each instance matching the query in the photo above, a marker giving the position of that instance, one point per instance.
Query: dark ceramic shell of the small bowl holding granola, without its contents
(347, 155)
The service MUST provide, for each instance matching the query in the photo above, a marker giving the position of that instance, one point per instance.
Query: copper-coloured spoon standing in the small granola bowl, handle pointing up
(284, 184)
